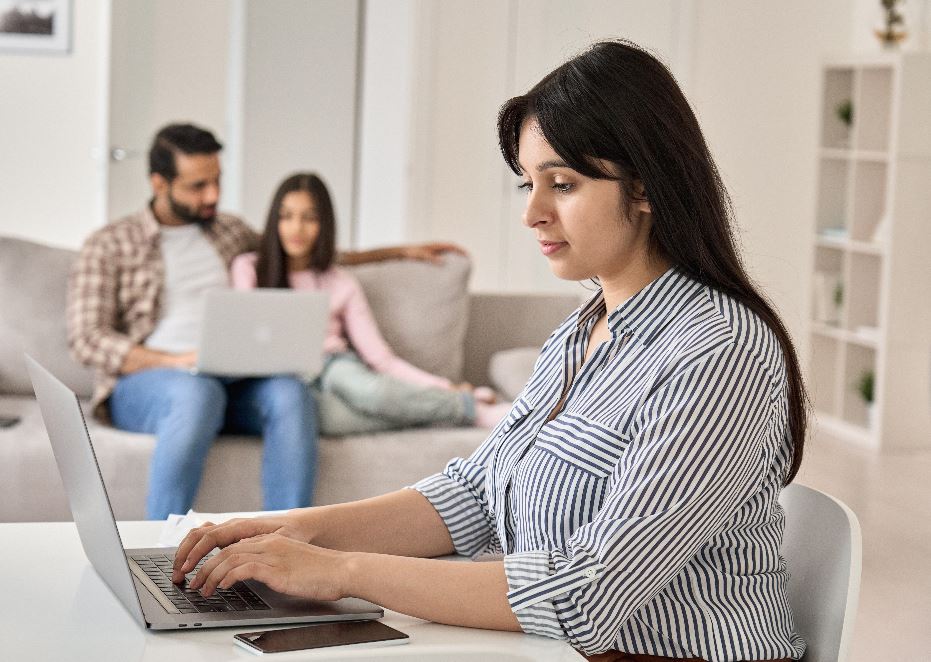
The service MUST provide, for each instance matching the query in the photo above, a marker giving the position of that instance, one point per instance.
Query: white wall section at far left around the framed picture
(50, 114)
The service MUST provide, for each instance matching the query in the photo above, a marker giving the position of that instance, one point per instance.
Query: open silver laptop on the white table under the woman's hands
(140, 578)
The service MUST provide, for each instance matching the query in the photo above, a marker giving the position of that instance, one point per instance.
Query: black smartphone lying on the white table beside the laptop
(324, 635)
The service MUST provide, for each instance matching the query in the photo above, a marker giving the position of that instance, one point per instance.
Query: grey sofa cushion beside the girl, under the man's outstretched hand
(422, 309)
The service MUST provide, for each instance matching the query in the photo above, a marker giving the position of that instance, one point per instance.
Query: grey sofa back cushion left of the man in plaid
(33, 289)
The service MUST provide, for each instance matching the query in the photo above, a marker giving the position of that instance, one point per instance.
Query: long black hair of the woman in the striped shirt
(615, 102)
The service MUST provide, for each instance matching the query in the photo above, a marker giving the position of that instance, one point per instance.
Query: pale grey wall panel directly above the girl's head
(299, 100)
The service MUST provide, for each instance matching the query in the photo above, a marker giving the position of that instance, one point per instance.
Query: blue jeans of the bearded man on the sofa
(186, 412)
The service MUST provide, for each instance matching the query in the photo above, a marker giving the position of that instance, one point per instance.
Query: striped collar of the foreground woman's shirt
(648, 311)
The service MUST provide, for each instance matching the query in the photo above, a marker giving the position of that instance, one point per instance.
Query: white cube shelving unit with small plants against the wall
(871, 309)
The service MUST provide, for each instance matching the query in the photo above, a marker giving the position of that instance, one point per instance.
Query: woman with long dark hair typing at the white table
(632, 490)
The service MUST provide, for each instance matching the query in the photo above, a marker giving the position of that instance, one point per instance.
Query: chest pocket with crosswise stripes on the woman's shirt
(582, 443)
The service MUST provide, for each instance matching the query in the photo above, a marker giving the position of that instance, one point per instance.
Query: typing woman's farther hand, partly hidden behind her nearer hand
(201, 540)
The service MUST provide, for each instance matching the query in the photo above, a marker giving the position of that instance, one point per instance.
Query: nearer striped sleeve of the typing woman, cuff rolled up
(698, 447)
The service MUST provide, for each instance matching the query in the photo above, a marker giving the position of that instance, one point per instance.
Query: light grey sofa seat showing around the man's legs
(349, 467)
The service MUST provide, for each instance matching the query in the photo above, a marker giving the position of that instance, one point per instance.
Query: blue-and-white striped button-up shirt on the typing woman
(645, 515)
